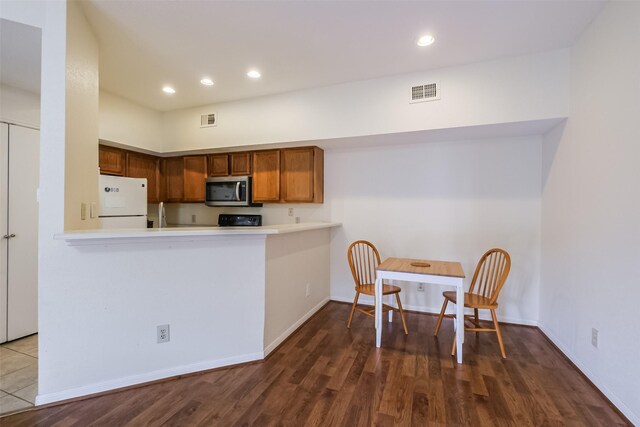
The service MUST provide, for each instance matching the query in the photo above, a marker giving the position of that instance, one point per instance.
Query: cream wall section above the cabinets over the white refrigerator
(125, 122)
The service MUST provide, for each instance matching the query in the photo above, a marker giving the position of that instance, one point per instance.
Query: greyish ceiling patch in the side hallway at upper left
(20, 53)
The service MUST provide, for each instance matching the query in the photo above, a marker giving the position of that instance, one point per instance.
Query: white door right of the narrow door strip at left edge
(22, 265)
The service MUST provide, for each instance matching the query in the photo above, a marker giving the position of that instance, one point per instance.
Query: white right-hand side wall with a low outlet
(591, 209)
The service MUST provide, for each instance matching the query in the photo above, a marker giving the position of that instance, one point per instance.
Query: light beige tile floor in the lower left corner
(18, 374)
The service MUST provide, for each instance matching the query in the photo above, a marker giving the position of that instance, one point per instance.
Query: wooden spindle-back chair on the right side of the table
(491, 273)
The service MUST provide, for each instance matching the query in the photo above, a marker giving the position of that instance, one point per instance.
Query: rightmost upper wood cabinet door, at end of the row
(302, 176)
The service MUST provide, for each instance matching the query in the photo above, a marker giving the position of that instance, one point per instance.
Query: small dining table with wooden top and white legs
(447, 273)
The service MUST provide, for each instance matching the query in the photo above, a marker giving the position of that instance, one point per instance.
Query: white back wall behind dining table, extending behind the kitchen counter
(450, 200)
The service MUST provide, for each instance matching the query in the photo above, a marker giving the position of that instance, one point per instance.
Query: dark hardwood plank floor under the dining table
(328, 375)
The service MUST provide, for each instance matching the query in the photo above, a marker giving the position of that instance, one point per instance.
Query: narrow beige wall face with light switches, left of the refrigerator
(81, 162)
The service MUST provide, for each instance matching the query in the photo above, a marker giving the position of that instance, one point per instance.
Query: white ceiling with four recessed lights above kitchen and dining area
(300, 44)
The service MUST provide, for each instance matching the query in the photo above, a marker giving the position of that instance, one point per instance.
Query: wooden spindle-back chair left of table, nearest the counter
(363, 260)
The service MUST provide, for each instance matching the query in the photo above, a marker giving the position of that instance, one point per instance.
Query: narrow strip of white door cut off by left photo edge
(4, 175)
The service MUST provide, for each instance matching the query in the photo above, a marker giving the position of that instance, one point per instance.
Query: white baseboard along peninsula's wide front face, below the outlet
(42, 399)
